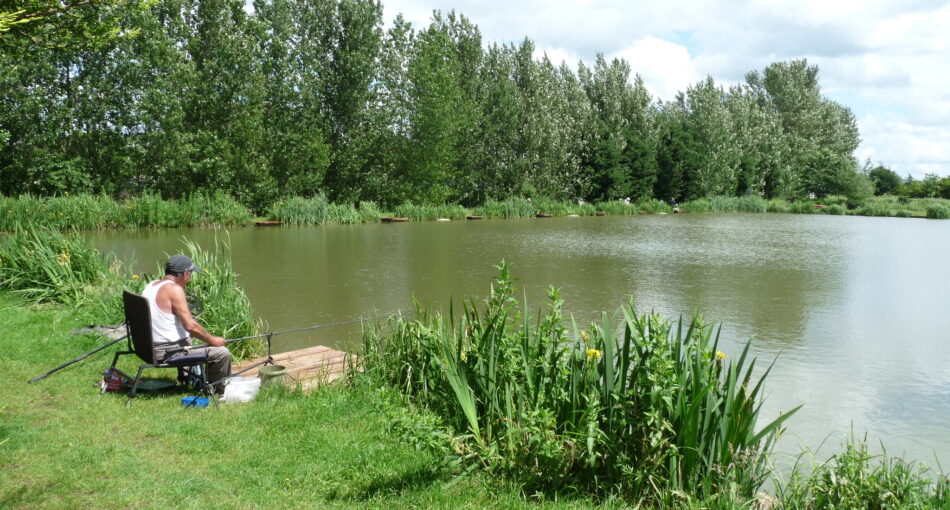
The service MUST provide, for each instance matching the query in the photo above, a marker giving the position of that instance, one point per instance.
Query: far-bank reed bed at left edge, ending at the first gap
(91, 212)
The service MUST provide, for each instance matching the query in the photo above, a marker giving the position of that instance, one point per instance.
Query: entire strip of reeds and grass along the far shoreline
(92, 212)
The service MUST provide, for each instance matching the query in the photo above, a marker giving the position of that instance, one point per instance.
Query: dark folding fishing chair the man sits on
(138, 320)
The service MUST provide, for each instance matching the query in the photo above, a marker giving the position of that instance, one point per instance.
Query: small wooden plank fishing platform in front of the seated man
(308, 367)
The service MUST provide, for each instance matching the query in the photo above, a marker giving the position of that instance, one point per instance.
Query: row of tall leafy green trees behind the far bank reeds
(308, 97)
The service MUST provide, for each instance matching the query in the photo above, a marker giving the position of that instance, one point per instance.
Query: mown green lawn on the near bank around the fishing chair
(62, 445)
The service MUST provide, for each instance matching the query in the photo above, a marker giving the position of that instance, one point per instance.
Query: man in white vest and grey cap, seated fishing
(173, 325)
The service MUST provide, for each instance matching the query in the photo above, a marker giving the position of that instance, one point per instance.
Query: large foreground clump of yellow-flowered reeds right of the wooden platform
(647, 413)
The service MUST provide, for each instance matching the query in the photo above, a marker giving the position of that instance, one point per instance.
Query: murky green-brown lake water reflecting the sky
(854, 310)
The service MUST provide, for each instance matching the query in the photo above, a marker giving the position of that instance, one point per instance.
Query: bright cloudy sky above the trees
(888, 61)
